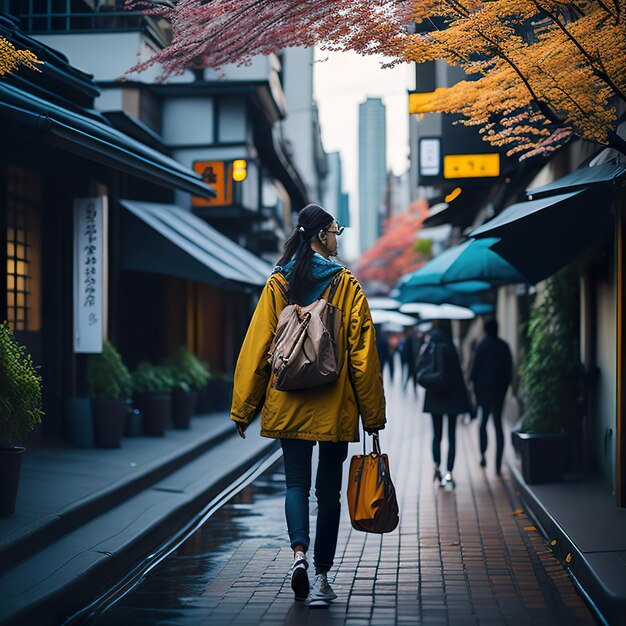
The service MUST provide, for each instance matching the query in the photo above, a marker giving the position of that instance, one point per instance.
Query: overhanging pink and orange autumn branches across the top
(540, 72)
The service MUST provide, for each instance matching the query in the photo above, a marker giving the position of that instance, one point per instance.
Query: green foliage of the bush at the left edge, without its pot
(20, 390)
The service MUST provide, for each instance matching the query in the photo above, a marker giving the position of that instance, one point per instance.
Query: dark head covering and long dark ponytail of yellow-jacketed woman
(311, 220)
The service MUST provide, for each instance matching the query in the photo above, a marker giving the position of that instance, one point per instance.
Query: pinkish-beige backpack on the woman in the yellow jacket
(305, 350)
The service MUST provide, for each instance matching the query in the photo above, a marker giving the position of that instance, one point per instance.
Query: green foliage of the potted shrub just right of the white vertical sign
(107, 376)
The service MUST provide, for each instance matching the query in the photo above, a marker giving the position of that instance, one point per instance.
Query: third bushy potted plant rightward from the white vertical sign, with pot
(189, 374)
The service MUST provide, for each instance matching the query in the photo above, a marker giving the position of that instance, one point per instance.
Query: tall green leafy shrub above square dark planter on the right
(552, 375)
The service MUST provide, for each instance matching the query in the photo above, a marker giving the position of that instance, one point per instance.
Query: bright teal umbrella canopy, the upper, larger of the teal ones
(472, 261)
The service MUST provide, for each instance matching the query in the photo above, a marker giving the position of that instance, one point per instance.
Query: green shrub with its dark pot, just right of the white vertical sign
(110, 387)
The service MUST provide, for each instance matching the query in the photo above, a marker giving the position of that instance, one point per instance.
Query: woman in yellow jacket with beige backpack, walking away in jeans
(336, 325)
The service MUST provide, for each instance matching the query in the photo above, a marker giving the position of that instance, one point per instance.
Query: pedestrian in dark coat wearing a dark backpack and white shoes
(439, 372)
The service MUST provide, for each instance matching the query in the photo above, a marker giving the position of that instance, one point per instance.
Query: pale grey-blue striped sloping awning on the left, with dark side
(165, 239)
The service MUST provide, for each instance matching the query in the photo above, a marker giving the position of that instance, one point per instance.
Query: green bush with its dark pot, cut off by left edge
(20, 412)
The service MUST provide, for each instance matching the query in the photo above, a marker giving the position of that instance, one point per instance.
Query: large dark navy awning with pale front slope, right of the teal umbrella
(539, 237)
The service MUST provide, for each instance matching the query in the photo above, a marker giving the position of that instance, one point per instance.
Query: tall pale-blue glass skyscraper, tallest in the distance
(372, 170)
